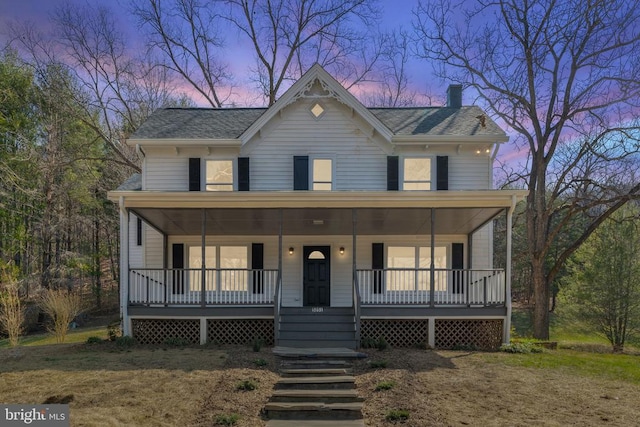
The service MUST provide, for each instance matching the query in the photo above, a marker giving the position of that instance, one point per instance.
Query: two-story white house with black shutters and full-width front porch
(316, 222)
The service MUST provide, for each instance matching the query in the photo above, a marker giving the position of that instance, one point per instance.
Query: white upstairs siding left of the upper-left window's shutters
(166, 173)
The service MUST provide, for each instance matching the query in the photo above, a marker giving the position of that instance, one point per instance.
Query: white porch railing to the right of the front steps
(398, 286)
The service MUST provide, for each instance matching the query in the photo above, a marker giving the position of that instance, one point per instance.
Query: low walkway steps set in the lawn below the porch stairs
(315, 393)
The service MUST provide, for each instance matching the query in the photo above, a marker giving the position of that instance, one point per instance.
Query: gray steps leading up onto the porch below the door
(317, 327)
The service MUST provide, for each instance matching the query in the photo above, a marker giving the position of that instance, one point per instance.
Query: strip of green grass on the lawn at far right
(621, 367)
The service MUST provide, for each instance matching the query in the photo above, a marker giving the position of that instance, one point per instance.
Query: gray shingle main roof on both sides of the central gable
(228, 123)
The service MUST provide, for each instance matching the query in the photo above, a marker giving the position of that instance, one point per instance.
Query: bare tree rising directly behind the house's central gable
(289, 36)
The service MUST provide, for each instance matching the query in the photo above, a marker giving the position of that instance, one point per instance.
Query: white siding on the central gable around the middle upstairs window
(359, 162)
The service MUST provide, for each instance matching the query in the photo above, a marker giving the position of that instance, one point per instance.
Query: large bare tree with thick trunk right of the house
(564, 76)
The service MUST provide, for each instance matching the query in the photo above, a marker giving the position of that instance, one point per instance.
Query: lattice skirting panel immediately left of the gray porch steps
(239, 331)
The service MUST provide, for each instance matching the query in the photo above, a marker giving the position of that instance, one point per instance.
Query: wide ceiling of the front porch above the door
(316, 221)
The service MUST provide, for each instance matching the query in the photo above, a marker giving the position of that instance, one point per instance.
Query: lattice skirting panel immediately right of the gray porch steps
(397, 333)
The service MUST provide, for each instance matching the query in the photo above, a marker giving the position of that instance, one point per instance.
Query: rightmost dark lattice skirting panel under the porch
(468, 334)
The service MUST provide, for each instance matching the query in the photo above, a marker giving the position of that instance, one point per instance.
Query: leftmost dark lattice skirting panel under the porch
(157, 331)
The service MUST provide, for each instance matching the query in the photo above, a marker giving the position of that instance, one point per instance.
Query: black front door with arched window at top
(317, 282)
